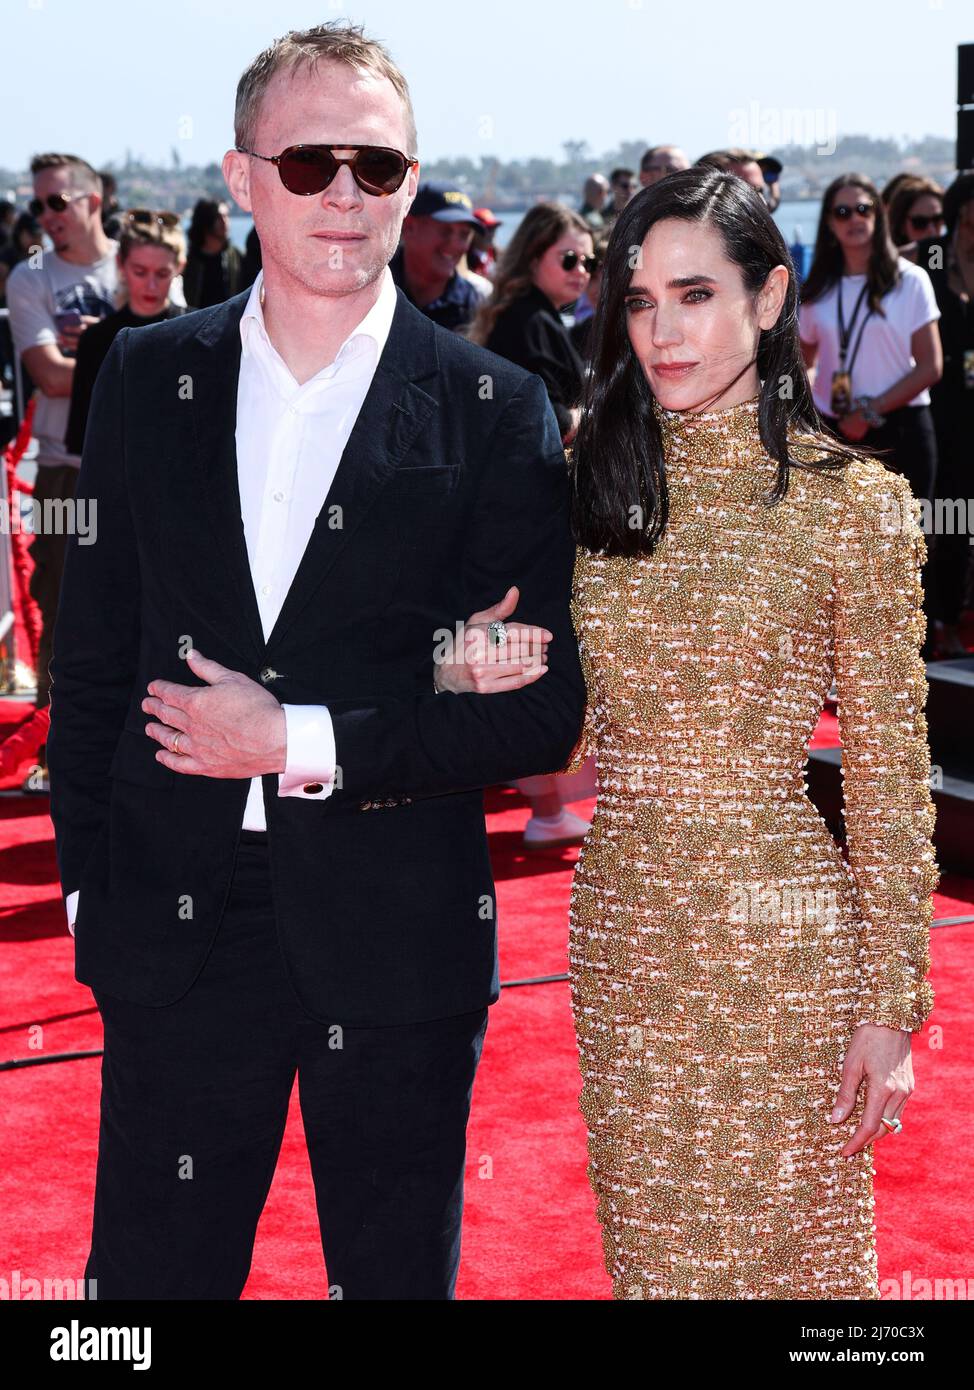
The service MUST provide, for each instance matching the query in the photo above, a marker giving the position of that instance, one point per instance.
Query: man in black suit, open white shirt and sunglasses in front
(212, 678)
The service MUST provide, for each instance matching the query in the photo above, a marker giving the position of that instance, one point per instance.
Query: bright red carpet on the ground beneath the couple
(530, 1228)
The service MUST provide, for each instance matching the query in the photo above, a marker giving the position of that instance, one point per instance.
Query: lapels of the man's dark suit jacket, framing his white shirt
(393, 416)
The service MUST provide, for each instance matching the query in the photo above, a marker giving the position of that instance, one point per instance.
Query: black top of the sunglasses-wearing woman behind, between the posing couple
(531, 333)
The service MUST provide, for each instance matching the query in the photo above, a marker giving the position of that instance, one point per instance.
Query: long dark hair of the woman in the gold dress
(619, 450)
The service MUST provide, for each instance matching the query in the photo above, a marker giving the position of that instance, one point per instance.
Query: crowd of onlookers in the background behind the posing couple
(886, 323)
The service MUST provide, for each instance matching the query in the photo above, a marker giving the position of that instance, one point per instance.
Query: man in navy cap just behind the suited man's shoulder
(437, 234)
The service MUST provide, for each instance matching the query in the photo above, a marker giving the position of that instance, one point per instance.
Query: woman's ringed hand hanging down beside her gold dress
(880, 1057)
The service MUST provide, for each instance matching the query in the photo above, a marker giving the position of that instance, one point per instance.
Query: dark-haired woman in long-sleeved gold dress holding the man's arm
(744, 999)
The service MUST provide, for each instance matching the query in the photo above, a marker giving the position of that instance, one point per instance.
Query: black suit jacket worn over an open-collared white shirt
(452, 487)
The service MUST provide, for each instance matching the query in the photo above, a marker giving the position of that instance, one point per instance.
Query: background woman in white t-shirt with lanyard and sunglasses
(869, 327)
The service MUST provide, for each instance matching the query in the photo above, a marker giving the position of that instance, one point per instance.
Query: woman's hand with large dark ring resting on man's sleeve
(484, 669)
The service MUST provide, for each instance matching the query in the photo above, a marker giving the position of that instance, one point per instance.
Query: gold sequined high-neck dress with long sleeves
(722, 951)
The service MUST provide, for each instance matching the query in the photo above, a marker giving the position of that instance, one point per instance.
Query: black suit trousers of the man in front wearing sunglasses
(194, 1109)
